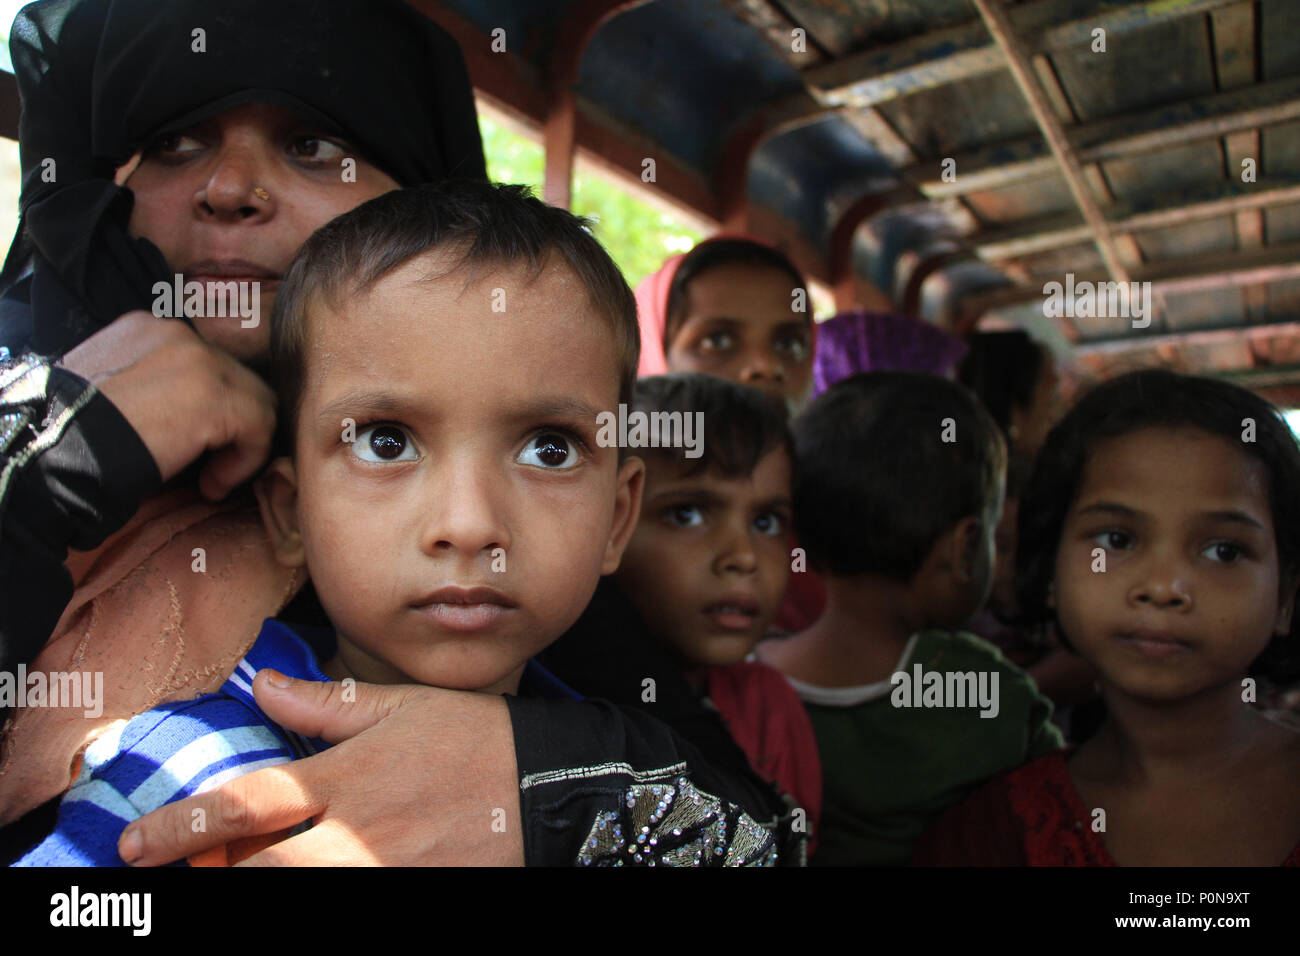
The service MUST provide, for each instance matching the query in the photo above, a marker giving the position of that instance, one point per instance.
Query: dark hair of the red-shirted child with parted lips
(742, 425)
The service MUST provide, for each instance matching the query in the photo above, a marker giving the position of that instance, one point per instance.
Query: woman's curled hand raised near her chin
(183, 397)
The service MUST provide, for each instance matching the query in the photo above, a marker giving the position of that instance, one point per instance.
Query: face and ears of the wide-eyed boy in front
(467, 522)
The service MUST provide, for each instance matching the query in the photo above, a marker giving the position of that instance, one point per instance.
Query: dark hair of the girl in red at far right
(1156, 399)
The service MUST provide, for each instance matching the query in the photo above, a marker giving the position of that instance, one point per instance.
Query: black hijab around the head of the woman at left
(102, 79)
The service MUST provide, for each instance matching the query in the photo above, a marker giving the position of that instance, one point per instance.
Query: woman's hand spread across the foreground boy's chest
(422, 777)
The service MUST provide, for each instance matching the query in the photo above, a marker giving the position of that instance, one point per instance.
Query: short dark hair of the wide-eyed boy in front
(486, 223)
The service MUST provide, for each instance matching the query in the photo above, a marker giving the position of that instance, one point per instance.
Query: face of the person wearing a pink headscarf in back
(740, 325)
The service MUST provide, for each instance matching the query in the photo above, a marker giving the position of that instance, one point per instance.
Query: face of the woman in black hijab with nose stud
(235, 198)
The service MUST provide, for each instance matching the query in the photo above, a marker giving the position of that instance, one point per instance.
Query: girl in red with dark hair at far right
(1162, 531)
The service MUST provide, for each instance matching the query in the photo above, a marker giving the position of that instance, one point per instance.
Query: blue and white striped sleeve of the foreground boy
(159, 758)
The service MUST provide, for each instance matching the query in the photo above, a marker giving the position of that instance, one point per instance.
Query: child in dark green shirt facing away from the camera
(899, 491)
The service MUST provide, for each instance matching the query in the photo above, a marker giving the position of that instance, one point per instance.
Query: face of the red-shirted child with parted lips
(710, 557)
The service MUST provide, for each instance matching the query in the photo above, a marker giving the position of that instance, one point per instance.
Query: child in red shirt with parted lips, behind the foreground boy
(709, 561)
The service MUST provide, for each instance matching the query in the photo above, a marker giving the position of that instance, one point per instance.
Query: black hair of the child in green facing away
(878, 483)
